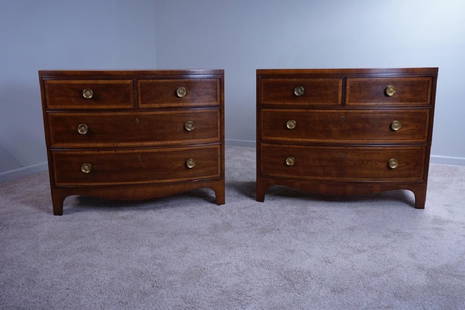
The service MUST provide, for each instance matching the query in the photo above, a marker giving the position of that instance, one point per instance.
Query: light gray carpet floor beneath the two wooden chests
(294, 251)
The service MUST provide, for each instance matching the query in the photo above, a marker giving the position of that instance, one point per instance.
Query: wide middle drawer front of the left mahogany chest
(133, 128)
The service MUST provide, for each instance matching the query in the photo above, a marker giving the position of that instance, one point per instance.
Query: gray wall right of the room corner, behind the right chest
(243, 35)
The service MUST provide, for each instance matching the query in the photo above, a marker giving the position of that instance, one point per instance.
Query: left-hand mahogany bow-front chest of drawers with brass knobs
(133, 134)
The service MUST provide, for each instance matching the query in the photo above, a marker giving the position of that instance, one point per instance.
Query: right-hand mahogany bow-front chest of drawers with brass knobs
(345, 131)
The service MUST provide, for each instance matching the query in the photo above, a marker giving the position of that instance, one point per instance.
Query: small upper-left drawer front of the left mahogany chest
(89, 94)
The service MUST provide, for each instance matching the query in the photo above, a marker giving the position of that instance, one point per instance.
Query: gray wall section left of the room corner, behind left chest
(89, 34)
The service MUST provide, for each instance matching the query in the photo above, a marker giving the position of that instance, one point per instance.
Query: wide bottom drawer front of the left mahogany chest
(135, 166)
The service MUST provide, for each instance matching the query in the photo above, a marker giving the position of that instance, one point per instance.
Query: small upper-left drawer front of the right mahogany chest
(301, 91)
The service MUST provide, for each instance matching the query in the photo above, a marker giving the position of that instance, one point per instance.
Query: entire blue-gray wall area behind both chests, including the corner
(239, 36)
